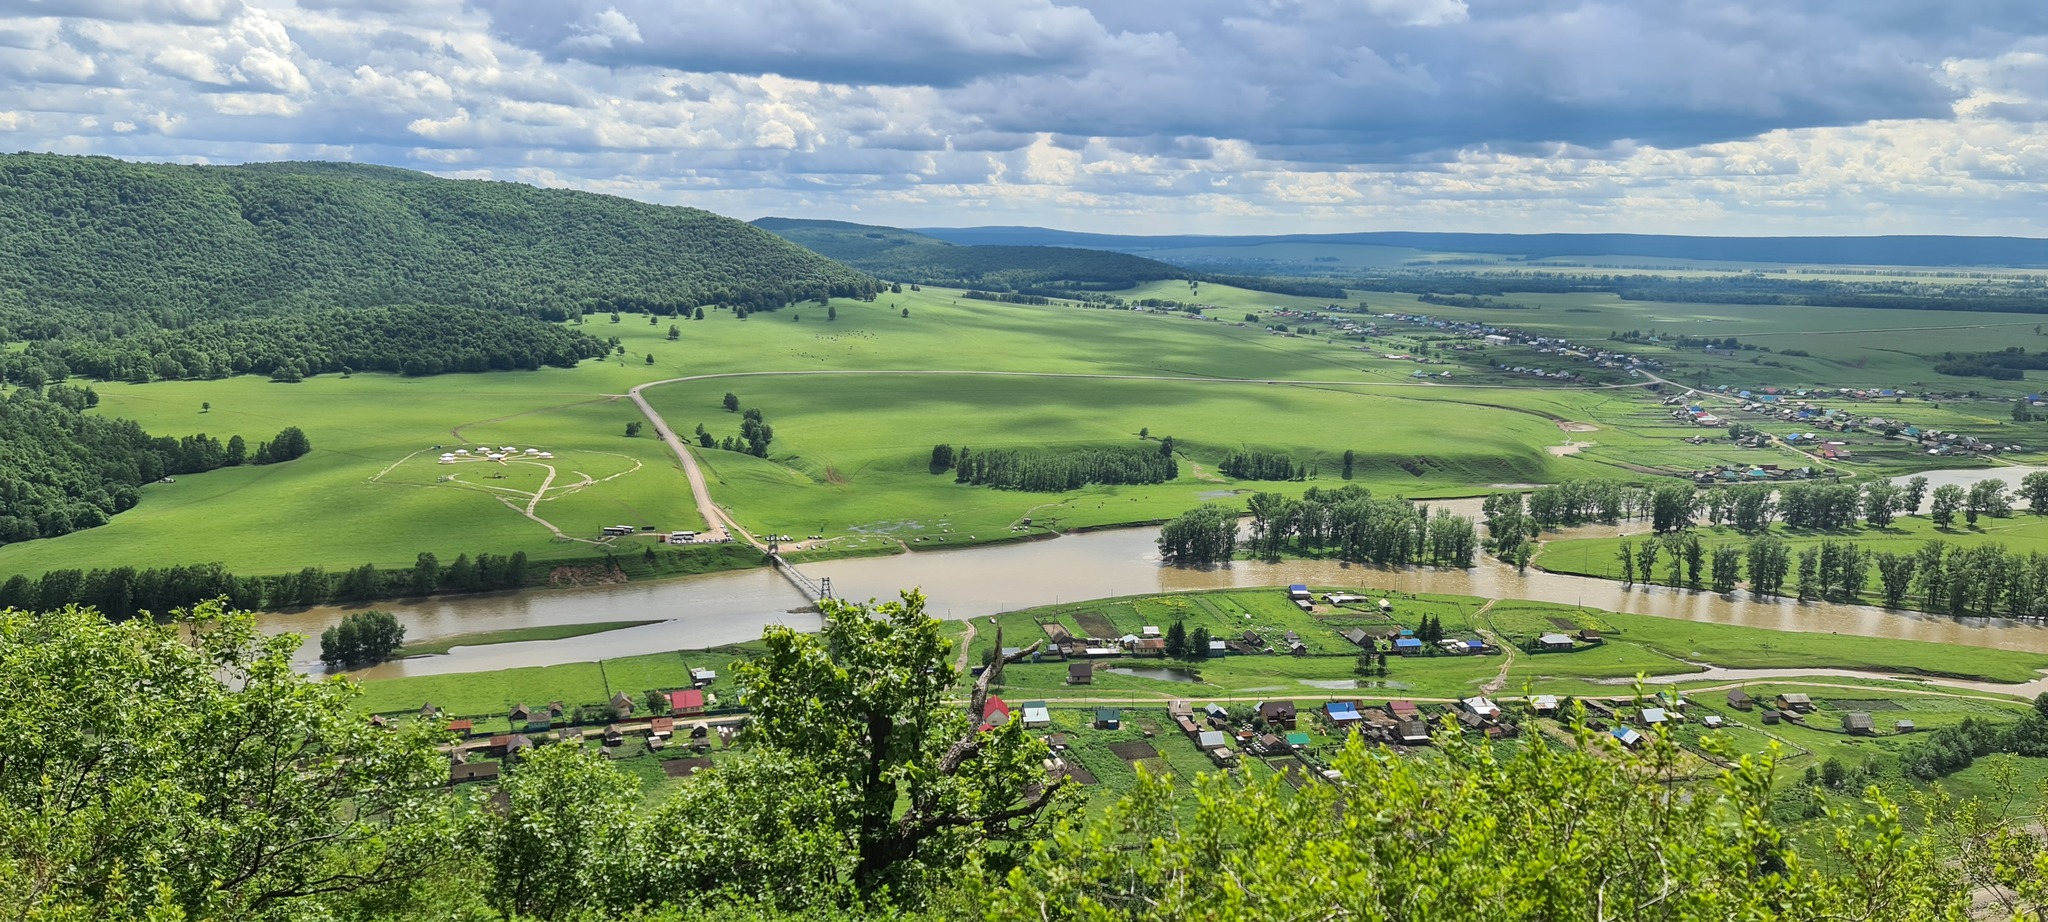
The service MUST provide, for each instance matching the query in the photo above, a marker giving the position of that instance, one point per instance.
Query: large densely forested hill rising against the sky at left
(173, 245)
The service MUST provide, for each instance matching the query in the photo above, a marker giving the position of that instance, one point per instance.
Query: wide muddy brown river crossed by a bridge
(982, 581)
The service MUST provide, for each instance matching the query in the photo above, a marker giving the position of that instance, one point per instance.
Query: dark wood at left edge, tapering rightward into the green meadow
(69, 470)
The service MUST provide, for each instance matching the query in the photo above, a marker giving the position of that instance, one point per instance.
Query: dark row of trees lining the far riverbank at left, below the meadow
(124, 593)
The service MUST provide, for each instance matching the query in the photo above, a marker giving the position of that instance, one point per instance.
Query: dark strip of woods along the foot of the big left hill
(411, 341)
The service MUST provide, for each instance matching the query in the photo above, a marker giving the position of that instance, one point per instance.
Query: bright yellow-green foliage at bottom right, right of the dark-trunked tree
(1478, 833)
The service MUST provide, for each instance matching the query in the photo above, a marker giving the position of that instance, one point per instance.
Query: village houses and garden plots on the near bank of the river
(1101, 735)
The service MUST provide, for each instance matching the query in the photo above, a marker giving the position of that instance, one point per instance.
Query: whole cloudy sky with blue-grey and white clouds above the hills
(1111, 116)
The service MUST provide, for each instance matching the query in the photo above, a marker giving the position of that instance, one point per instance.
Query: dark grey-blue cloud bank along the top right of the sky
(1377, 77)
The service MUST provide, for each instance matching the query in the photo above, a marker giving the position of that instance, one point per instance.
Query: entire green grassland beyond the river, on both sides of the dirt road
(849, 452)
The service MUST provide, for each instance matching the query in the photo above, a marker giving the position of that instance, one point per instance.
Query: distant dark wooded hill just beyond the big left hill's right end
(912, 257)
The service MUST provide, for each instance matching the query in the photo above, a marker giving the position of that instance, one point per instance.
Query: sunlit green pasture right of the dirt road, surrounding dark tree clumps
(853, 452)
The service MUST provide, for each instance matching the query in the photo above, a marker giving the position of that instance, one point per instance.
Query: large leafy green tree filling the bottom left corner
(187, 771)
